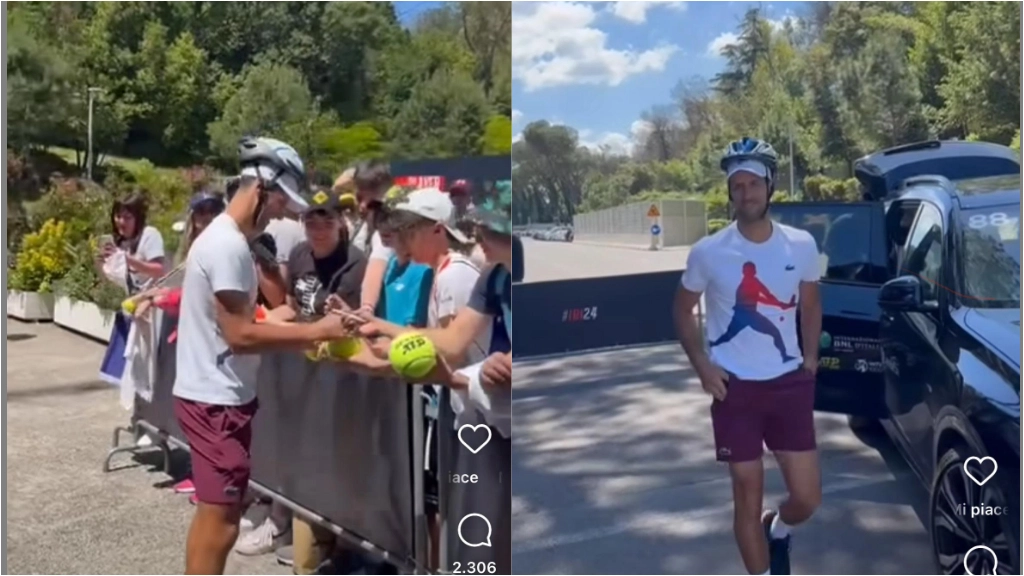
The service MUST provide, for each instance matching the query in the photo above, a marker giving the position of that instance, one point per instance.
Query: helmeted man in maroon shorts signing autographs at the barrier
(219, 346)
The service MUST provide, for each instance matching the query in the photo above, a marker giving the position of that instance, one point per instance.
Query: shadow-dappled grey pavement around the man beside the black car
(614, 473)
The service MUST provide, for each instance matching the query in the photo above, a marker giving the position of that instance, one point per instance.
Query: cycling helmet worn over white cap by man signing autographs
(276, 163)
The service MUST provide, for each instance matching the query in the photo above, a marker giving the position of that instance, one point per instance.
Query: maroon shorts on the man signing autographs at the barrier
(220, 438)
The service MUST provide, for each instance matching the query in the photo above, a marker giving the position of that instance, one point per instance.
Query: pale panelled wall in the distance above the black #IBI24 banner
(682, 222)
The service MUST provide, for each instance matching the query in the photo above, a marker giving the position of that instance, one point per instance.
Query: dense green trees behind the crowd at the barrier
(181, 83)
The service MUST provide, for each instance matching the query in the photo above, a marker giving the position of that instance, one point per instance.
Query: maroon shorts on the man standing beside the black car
(779, 414)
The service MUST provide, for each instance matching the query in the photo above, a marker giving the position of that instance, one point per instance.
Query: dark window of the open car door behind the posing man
(843, 233)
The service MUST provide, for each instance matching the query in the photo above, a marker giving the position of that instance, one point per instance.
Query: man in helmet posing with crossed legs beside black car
(755, 274)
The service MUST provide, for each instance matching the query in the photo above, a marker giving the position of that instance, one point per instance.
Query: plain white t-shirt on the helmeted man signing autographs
(207, 371)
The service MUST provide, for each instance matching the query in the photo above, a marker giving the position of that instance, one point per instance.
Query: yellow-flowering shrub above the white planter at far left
(42, 260)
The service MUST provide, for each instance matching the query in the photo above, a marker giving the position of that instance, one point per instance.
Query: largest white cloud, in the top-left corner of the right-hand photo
(557, 45)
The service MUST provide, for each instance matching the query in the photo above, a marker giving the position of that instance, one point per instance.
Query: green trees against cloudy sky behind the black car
(845, 80)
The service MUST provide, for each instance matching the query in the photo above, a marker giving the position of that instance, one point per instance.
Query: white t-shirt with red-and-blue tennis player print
(754, 339)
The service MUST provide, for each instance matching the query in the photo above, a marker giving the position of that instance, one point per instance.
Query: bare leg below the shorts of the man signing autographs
(214, 531)
